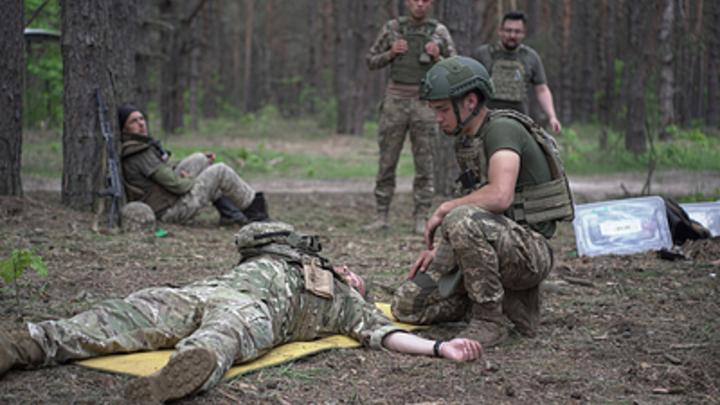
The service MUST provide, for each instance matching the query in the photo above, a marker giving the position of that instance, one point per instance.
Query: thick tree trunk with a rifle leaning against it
(97, 53)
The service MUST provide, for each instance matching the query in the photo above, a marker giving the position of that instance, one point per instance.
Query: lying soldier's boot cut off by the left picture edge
(19, 350)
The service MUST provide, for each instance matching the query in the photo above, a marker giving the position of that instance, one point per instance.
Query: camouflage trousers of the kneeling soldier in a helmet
(493, 253)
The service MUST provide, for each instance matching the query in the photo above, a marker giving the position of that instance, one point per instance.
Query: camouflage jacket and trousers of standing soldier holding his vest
(402, 111)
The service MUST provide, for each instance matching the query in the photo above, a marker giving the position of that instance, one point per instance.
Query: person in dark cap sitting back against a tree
(176, 195)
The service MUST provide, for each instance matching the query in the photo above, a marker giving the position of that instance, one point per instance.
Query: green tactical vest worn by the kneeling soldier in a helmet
(533, 203)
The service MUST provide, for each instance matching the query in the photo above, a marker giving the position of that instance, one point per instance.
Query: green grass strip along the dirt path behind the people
(693, 149)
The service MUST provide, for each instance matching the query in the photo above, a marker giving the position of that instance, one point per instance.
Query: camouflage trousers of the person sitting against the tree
(211, 183)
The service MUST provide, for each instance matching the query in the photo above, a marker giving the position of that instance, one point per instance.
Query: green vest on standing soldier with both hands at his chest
(410, 67)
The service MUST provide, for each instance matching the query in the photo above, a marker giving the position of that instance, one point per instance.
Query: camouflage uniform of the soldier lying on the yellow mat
(239, 316)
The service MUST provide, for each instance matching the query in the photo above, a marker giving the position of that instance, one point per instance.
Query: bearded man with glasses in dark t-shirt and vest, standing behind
(513, 66)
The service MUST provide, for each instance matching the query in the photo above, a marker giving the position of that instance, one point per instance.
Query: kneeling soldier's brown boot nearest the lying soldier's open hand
(487, 325)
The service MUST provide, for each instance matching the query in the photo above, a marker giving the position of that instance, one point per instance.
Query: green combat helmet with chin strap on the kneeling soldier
(454, 77)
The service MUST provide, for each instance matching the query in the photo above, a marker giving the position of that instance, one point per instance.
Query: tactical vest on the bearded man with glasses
(508, 75)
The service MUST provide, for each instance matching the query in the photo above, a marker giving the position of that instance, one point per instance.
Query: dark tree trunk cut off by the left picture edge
(12, 70)
